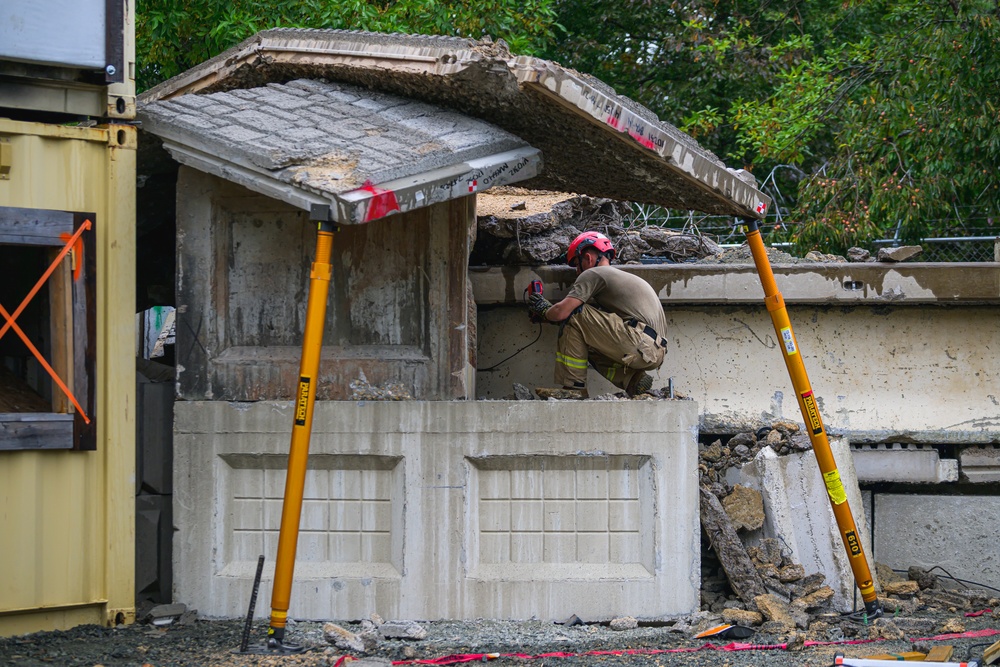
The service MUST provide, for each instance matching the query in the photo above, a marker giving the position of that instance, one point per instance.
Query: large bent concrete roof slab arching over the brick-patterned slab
(593, 141)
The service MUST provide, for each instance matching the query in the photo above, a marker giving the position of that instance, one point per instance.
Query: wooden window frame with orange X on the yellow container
(64, 428)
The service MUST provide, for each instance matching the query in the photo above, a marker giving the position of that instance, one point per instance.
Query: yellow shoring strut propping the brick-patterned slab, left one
(298, 451)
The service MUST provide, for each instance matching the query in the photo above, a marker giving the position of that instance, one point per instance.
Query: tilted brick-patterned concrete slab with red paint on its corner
(314, 143)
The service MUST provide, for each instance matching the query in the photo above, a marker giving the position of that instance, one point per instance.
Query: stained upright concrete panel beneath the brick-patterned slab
(397, 308)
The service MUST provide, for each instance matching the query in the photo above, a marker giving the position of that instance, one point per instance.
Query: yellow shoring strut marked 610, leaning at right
(814, 422)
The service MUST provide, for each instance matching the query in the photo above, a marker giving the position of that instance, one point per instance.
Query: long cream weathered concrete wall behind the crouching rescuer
(894, 359)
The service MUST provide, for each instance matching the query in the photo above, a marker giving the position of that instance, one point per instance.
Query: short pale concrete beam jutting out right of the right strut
(904, 463)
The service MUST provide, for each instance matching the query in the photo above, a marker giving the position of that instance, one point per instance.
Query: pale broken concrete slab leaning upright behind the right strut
(798, 512)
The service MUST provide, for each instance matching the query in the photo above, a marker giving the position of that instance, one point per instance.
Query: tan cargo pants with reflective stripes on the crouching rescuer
(616, 350)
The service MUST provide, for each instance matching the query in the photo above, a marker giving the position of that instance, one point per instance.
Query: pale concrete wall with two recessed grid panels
(435, 510)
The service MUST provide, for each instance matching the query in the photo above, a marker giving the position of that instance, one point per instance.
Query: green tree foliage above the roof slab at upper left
(175, 35)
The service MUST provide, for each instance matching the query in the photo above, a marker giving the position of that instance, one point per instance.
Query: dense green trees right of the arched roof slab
(888, 106)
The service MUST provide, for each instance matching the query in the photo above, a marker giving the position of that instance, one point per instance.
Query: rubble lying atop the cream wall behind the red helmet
(519, 227)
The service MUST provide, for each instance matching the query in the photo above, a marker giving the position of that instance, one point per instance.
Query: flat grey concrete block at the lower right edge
(959, 533)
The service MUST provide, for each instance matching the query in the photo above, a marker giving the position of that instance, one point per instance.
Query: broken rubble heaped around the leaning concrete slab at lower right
(755, 583)
